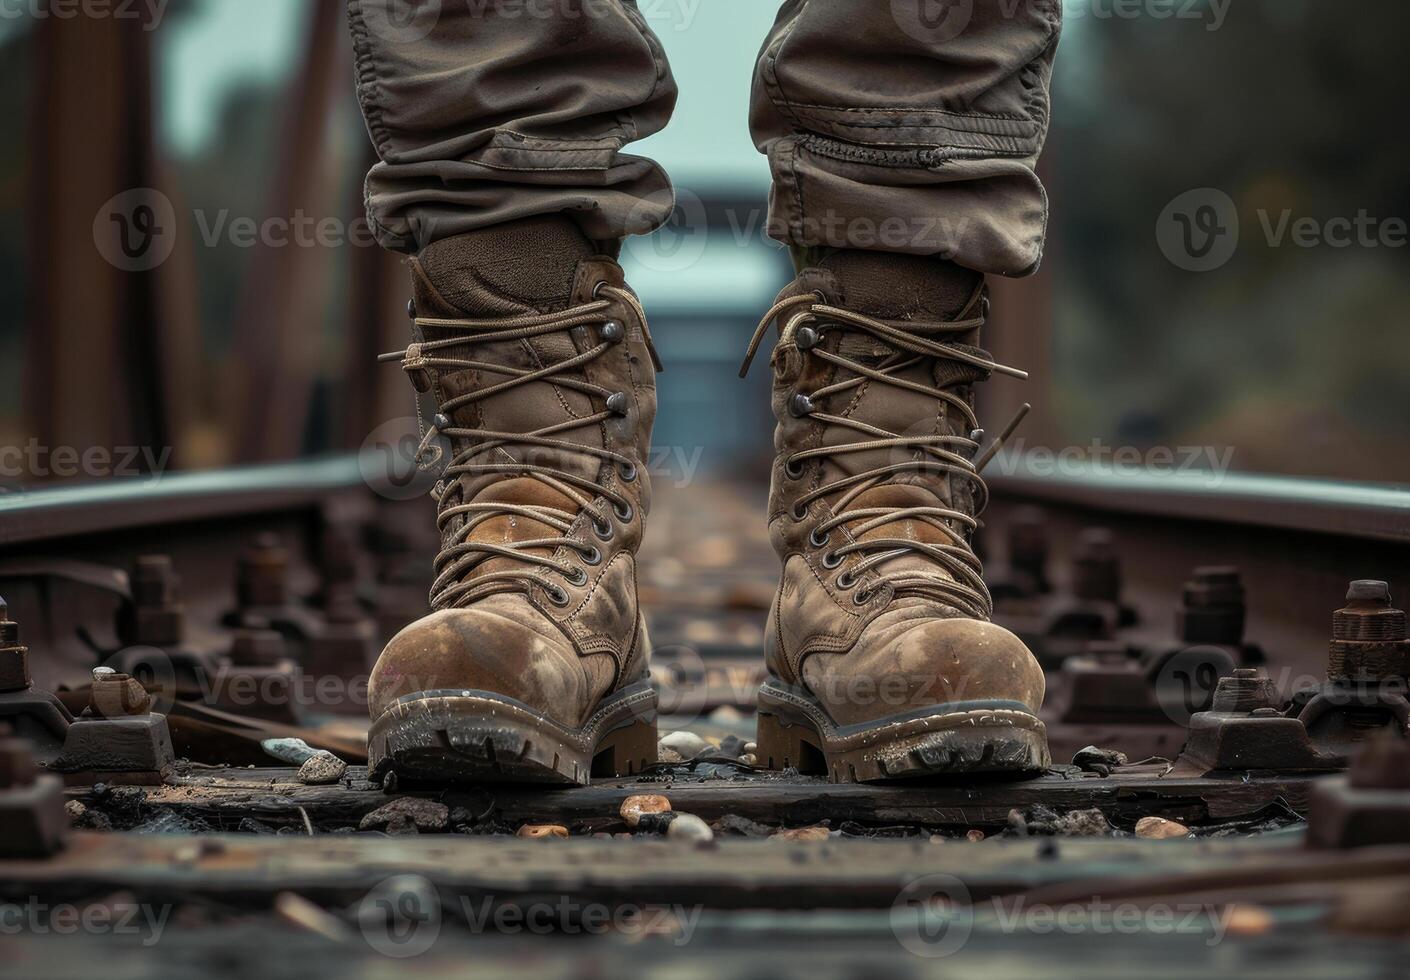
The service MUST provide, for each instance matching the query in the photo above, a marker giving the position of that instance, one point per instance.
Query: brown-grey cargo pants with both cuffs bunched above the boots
(905, 126)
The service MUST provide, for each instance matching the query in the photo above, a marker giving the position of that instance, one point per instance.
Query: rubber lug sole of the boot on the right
(968, 737)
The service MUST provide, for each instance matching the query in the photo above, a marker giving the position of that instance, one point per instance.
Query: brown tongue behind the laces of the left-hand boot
(514, 270)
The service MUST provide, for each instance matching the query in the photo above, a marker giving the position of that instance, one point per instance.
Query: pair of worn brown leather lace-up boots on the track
(539, 373)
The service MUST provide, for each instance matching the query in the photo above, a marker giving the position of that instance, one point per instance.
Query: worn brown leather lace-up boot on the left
(541, 380)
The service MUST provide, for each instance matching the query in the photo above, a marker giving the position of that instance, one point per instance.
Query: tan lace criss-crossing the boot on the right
(958, 579)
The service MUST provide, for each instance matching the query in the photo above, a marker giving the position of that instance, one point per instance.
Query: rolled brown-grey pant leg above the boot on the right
(910, 126)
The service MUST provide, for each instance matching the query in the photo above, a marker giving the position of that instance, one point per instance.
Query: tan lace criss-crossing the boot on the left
(460, 553)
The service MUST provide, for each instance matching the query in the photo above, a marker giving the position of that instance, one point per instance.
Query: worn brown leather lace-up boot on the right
(881, 654)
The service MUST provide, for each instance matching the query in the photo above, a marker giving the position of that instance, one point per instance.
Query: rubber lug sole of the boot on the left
(482, 737)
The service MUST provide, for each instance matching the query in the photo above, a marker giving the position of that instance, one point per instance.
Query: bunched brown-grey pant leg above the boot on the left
(493, 111)
